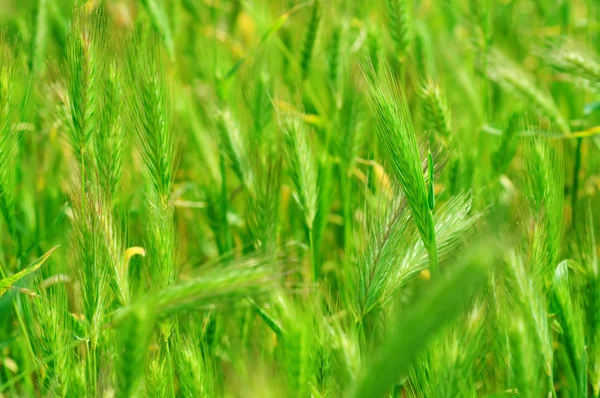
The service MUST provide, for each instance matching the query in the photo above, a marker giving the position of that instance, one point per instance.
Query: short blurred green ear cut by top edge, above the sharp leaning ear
(400, 25)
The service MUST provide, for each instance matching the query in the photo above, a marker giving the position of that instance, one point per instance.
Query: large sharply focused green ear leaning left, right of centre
(397, 137)
